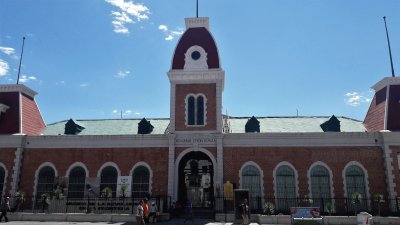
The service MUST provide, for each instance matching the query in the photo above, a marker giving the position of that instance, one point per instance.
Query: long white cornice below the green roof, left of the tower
(98, 141)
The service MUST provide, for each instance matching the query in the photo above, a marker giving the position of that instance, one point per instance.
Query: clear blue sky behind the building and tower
(93, 59)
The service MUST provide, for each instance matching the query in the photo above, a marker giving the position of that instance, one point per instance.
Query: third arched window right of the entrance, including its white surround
(320, 183)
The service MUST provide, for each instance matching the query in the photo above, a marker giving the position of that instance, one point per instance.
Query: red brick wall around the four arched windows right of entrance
(302, 158)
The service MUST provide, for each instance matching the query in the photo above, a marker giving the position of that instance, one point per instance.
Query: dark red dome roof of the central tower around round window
(196, 36)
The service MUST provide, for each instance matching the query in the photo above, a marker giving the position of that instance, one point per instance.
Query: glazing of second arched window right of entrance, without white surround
(285, 188)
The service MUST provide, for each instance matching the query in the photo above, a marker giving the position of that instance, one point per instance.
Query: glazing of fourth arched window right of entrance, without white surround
(355, 182)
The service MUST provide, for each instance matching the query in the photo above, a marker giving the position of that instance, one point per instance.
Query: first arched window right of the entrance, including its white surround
(251, 178)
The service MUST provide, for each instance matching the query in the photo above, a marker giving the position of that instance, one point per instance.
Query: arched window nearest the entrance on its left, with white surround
(142, 176)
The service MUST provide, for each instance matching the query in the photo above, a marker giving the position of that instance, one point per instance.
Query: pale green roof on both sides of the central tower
(237, 125)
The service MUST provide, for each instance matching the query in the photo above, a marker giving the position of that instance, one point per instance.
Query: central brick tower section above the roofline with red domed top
(197, 81)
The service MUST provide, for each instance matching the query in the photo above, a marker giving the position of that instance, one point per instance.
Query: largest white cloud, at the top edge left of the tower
(128, 9)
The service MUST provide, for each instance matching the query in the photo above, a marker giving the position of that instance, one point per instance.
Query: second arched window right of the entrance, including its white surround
(285, 186)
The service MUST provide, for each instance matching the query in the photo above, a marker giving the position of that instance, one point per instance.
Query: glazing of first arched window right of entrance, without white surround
(251, 180)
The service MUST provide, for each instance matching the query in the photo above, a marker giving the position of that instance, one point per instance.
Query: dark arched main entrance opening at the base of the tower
(195, 182)
